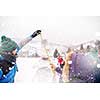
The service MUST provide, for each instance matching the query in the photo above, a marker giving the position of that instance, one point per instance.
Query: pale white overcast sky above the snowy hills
(57, 29)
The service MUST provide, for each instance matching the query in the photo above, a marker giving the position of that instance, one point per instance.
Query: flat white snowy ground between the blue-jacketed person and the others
(33, 70)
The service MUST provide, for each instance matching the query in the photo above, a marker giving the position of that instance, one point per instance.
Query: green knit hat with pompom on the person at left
(7, 45)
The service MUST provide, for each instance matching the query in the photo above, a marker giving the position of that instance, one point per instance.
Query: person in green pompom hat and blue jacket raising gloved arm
(8, 54)
